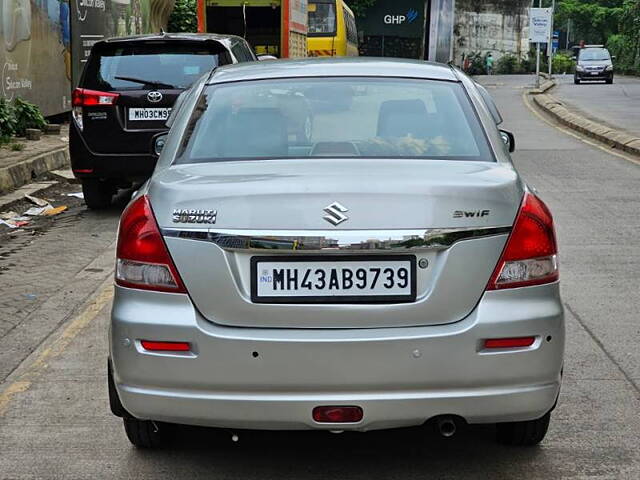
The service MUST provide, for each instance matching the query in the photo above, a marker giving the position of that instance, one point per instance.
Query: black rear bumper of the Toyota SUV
(87, 164)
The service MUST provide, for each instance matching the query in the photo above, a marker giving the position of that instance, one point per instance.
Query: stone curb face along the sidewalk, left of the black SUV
(24, 172)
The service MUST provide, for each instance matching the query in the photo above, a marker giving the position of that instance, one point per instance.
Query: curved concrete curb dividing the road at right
(611, 136)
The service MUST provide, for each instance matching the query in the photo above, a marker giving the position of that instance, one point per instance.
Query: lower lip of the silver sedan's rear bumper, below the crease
(292, 411)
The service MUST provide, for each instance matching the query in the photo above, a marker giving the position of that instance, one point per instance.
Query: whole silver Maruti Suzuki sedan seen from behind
(336, 244)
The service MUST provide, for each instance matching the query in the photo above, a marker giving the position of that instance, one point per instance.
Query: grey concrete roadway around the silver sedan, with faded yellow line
(54, 419)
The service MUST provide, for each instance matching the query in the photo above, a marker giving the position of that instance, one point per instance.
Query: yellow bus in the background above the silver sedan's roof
(332, 29)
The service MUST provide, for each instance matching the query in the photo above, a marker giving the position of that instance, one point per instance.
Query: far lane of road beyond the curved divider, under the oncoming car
(616, 105)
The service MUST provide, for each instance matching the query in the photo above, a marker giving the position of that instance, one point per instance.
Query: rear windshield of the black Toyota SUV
(176, 66)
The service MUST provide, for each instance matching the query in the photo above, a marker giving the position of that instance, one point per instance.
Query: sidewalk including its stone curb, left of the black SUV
(19, 168)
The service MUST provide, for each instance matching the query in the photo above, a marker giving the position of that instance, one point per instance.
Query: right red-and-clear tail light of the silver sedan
(529, 258)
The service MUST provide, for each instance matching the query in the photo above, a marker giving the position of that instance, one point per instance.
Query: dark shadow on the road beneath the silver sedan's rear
(401, 453)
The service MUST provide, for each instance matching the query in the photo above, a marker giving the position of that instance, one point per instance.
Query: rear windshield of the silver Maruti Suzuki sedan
(334, 117)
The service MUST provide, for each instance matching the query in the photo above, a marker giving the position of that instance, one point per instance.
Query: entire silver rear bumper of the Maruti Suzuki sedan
(273, 378)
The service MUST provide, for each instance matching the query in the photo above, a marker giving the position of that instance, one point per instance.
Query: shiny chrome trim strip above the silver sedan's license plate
(345, 240)
